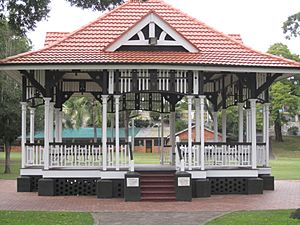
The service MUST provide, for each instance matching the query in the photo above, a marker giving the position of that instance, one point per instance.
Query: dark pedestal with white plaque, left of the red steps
(132, 187)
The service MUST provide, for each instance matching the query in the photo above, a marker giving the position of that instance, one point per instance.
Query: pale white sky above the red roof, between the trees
(259, 22)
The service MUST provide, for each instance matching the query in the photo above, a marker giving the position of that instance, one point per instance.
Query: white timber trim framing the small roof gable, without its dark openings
(152, 19)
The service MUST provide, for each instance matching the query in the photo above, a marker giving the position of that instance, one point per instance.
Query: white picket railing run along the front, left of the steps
(87, 156)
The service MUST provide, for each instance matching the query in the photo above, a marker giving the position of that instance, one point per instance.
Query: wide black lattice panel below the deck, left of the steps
(75, 186)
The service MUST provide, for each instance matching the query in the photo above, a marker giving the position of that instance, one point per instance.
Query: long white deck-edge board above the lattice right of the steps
(232, 173)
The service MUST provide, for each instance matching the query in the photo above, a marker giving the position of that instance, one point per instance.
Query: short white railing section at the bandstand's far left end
(34, 154)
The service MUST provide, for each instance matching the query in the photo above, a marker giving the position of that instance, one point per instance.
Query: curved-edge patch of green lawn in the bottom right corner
(270, 217)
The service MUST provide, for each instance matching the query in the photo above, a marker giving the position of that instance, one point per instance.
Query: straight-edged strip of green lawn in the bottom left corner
(45, 218)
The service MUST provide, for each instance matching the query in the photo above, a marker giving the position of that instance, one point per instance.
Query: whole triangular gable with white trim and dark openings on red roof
(152, 33)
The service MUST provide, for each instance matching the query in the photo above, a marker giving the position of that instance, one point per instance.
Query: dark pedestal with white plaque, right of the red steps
(183, 186)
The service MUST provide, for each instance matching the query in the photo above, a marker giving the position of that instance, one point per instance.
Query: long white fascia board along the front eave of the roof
(94, 67)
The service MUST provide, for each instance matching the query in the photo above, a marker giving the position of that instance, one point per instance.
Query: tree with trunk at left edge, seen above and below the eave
(10, 91)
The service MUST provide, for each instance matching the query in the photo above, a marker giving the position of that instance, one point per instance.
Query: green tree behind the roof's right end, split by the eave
(282, 99)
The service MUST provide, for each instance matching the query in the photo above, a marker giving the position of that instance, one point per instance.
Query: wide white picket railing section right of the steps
(222, 155)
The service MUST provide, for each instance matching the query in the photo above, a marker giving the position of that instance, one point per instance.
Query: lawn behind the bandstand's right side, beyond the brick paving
(286, 165)
